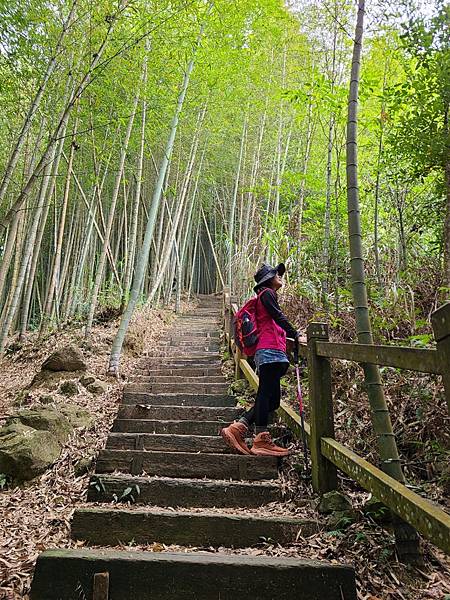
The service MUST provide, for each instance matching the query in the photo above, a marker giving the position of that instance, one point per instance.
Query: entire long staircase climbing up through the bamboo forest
(165, 450)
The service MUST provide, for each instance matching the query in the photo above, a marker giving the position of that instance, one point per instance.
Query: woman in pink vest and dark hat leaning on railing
(271, 363)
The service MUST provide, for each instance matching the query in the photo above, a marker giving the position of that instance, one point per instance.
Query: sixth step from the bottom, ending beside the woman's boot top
(169, 426)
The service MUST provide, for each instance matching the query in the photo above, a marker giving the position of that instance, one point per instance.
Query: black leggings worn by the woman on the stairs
(269, 393)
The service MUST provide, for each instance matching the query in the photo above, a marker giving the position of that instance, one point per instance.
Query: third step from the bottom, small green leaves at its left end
(168, 491)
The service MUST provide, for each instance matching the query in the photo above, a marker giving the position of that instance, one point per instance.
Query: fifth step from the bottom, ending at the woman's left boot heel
(167, 443)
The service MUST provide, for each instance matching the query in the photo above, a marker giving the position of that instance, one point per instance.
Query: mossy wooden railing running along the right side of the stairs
(327, 454)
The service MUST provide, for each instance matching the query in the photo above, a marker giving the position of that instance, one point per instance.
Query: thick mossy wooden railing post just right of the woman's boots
(324, 473)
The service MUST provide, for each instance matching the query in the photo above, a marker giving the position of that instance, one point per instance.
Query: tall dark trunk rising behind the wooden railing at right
(406, 536)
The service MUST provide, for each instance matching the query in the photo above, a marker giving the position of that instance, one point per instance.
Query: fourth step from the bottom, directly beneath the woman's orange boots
(188, 464)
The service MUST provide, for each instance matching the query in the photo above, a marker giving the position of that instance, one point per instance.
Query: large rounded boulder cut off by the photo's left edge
(26, 452)
